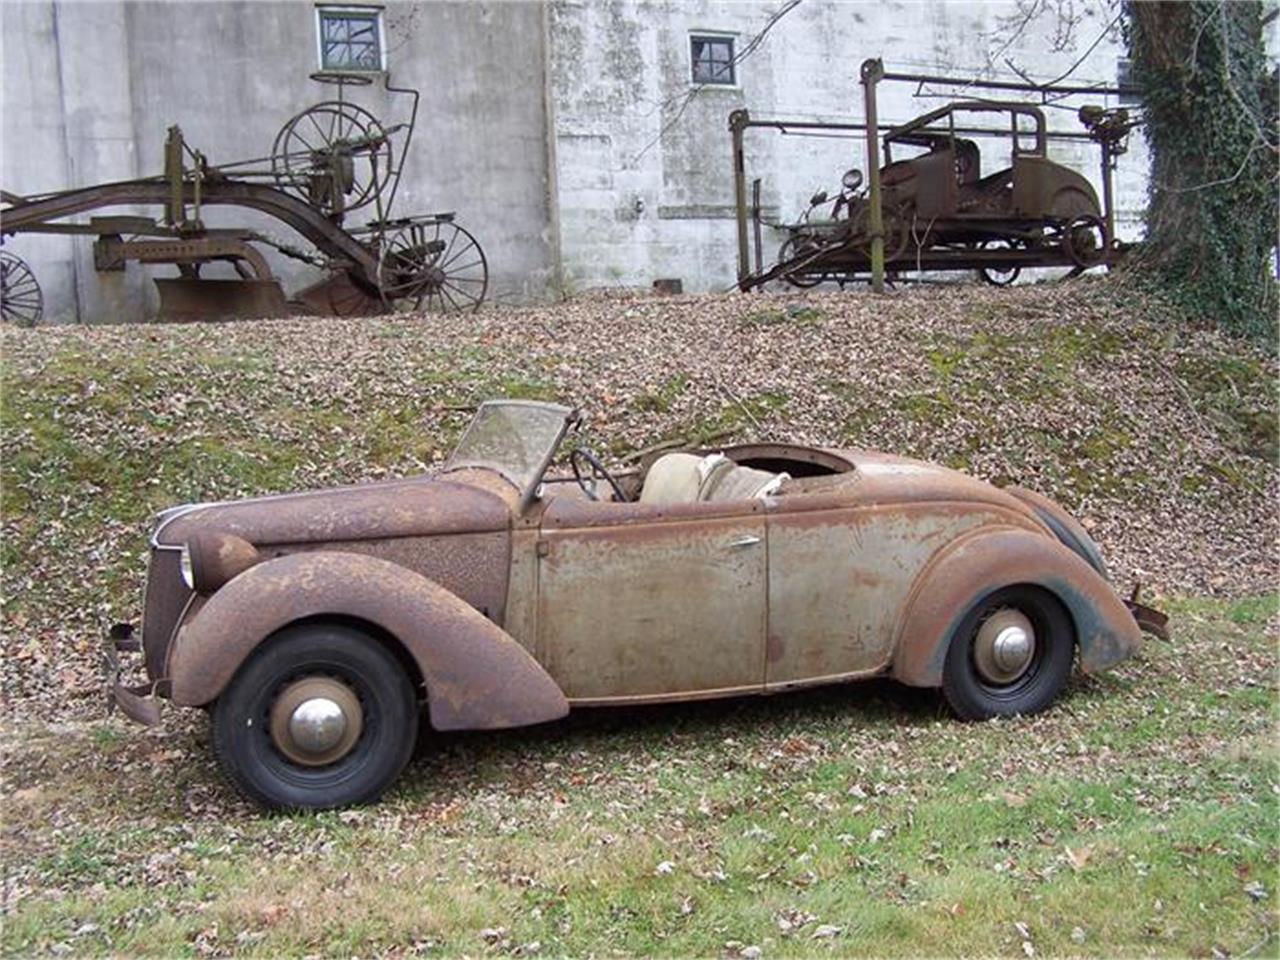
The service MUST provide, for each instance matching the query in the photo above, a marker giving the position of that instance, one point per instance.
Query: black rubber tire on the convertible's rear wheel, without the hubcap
(975, 697)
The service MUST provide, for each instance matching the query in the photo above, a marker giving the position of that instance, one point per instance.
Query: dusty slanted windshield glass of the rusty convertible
(516, 438)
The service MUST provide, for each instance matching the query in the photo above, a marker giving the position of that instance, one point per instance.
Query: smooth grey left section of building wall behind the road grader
(90, 90)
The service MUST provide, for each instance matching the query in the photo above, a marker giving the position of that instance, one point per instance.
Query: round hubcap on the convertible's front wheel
(317, 721)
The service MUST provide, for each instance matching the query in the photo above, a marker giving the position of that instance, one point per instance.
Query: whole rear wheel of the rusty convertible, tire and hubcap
(1011, 655)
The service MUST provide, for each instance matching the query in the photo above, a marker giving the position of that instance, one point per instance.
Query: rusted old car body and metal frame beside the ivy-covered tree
(931, 207)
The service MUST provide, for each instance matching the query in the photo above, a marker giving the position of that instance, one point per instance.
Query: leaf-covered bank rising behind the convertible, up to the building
(1162, 438)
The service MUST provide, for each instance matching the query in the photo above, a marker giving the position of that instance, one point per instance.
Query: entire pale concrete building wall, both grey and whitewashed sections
(565, 134)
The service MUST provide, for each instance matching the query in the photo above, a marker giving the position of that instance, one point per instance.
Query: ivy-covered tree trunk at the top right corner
(1212, 120)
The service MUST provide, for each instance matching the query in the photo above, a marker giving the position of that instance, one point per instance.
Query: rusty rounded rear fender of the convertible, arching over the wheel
(991, 559)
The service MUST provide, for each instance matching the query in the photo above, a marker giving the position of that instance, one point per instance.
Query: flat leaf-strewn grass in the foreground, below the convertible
(1136, 817)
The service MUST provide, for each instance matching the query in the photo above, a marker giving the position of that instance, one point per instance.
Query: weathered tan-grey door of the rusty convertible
(642, 602)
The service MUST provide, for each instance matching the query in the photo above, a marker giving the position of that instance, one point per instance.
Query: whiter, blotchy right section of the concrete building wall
(643, 159)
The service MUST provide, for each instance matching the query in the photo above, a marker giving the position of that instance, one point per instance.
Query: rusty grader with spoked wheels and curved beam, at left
(327, 163)
